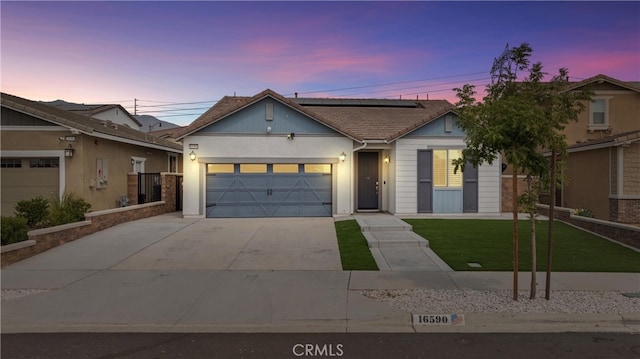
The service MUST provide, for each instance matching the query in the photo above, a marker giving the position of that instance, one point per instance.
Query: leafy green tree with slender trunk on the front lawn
(518, 118)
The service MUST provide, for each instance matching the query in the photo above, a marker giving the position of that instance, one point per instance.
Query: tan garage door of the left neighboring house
(26, 178)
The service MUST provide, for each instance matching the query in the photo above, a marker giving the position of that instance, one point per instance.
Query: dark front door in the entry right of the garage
(368, 182)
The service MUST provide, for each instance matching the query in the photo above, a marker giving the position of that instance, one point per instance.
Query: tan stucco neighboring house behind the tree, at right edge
(603, 167)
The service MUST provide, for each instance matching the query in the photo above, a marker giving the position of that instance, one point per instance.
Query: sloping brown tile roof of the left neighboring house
(86, 125)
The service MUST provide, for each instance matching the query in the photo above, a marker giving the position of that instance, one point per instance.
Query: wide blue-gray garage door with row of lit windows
(268, 190)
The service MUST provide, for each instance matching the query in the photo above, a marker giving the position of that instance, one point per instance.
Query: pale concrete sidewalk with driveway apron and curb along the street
(276, 301)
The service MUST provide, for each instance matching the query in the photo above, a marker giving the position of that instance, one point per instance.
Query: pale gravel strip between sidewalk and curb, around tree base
(425, 301)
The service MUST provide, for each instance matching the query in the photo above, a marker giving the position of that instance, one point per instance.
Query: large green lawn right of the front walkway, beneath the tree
(489, 242)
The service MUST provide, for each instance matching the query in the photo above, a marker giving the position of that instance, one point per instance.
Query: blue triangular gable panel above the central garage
(252, 120)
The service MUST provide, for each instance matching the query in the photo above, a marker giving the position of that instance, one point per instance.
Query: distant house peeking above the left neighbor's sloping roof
(110, 112)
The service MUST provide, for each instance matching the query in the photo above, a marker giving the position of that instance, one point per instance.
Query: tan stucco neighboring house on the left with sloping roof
(47, 151)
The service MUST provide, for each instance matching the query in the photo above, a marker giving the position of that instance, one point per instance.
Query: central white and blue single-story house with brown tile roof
(268, 155)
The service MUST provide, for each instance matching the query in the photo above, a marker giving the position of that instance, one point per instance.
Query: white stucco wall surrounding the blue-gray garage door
(265, 149)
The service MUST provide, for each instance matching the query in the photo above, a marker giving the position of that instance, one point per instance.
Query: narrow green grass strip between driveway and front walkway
(354, 251)
